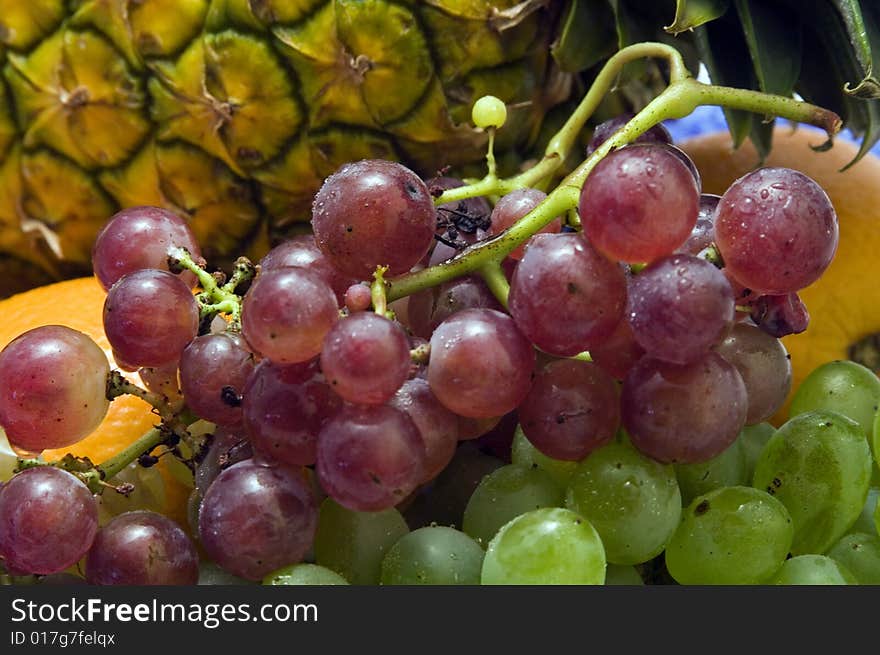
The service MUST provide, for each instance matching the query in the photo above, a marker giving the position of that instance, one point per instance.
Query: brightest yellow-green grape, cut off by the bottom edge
(550, 546)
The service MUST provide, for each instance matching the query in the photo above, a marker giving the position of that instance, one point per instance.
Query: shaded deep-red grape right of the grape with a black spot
(284, 408)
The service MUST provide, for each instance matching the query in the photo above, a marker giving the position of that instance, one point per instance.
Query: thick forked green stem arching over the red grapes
(680, 98)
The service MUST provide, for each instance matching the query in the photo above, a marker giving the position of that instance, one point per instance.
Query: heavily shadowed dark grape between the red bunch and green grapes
(443, 501)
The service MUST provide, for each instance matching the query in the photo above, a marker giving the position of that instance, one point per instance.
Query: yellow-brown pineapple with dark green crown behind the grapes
(231, 112)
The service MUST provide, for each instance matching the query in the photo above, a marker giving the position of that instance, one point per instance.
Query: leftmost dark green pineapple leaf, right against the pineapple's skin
(587, 35)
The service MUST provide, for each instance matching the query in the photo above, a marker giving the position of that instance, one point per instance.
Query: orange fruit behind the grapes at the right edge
(844, 304)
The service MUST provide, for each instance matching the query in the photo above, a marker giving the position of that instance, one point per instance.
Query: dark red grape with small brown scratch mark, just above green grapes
(571, 409)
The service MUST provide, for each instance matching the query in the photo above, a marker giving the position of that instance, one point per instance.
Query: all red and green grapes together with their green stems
(553, 377)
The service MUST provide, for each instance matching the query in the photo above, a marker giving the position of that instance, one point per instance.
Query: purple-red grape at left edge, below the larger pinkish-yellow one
(48, 520)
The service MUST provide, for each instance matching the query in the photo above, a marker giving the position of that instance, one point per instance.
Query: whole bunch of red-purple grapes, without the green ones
(678, 298)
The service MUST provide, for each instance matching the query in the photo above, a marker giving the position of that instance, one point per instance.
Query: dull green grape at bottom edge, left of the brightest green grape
(433, 556)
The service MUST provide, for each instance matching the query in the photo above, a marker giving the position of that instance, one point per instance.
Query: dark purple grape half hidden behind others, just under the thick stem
(430, 307)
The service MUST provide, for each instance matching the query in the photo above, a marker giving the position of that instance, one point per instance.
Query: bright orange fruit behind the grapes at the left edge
(78, 304)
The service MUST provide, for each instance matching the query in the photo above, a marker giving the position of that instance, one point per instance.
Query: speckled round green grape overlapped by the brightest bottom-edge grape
(633, 502)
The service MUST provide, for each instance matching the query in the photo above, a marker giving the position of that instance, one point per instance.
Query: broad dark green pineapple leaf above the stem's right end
(774, 45)
